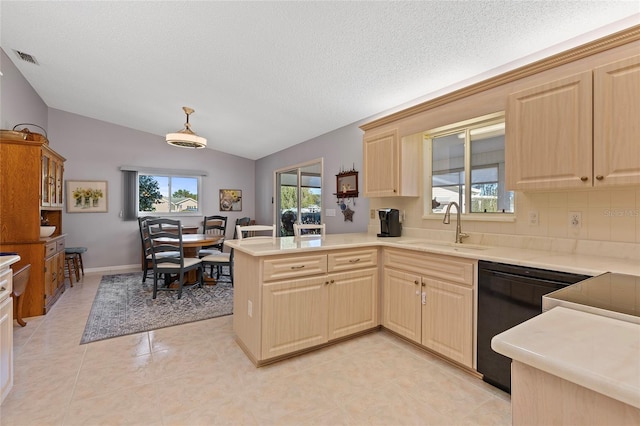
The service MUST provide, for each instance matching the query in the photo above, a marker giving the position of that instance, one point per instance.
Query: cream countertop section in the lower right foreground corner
(593, 351)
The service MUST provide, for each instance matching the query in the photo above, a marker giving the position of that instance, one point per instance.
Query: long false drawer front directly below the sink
(445, 267)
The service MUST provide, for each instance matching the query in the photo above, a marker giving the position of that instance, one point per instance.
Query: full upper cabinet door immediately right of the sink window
(549, 135)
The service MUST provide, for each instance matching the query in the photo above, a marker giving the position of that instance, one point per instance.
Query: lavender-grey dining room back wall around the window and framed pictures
(96, 149)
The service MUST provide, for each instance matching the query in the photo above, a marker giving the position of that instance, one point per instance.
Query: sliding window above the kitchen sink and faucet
(464, 162)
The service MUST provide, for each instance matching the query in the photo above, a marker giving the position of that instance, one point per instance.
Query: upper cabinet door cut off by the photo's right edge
(616, 159)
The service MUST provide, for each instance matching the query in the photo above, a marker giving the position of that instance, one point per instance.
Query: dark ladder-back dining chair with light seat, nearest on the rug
(163, 242)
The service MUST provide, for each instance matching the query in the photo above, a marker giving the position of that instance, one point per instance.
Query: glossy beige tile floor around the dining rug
(195, 374)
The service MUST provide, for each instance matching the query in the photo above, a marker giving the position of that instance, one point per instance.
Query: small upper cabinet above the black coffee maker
(391, 165)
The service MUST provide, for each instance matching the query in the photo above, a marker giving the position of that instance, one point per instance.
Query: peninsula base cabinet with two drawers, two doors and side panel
(300, 302)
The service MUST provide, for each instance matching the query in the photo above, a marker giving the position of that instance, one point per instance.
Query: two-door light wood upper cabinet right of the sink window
(576, 132)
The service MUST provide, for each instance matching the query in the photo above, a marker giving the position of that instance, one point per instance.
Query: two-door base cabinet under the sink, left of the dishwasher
(429, 299)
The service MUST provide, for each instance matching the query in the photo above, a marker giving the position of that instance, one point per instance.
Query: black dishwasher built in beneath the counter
(507, 296)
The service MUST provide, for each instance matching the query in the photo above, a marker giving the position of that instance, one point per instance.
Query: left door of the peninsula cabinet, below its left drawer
(295, 315)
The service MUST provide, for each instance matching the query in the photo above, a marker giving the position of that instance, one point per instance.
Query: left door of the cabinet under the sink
(402, 311)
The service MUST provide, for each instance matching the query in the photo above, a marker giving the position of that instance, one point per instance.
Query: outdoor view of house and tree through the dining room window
(168, 194)
